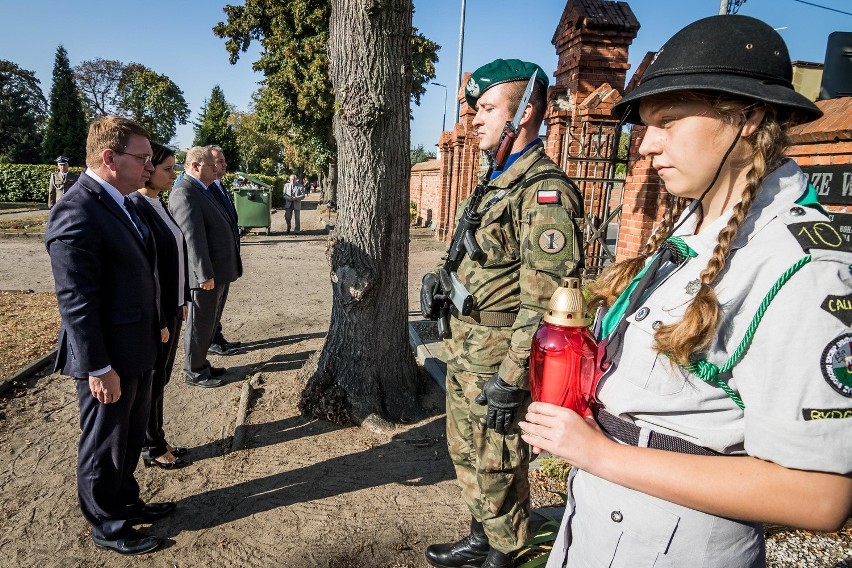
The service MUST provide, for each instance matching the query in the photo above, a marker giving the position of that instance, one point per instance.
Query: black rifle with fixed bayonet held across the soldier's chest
(451, 290)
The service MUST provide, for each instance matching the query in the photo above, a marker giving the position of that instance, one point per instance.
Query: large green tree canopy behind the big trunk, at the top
(297, 103)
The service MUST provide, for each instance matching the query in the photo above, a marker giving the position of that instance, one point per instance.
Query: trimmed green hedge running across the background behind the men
(28, 183)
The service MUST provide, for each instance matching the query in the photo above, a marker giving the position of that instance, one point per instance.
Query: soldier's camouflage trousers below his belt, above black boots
(491, 468)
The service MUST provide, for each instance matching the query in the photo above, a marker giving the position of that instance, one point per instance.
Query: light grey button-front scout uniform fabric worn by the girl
(795, 380)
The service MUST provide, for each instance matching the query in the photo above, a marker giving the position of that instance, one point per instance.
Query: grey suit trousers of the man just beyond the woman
(200, 327)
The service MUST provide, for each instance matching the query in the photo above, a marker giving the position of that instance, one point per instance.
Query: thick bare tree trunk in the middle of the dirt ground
(365, 371)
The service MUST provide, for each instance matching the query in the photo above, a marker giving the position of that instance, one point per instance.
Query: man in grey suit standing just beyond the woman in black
(212, 244)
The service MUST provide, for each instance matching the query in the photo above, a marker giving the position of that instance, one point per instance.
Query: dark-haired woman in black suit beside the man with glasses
(174, 293)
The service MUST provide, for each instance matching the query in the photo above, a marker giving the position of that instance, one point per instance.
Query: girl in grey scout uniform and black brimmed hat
(725, 393)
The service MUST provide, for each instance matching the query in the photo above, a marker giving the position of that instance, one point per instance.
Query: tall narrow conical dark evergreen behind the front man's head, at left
(67, 125)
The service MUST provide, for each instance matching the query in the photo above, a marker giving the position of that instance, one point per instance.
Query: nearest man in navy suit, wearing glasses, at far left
(106, 286)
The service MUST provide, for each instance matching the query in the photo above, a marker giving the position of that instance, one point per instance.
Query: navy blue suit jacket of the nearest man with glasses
(106, 285)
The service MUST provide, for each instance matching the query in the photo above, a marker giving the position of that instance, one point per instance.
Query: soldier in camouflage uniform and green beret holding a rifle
(530, 239)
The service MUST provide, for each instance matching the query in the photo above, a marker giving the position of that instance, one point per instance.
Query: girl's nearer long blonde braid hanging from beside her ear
(695, 332)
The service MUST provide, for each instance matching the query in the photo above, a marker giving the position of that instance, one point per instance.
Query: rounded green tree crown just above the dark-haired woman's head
(152, 100)
